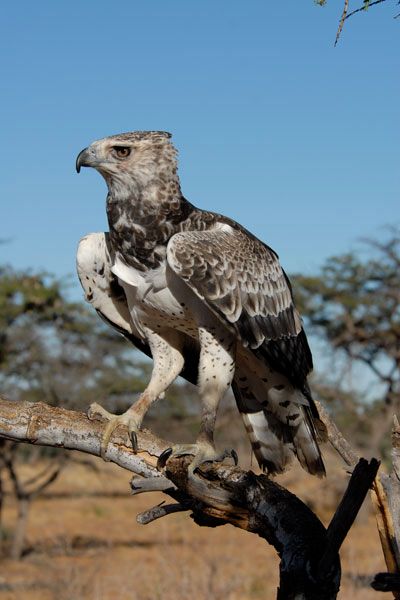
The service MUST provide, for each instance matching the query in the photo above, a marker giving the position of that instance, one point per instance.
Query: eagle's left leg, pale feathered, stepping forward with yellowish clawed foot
(168, 363)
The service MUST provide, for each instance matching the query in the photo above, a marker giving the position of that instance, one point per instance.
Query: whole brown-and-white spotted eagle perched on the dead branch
(205, 299)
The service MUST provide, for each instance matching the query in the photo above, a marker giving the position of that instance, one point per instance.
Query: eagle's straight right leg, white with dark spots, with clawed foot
(216, 370)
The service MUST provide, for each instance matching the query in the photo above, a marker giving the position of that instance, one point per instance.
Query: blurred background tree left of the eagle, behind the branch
(61, 353)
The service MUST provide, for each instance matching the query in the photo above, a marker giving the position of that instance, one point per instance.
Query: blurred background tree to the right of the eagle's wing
(354, 305)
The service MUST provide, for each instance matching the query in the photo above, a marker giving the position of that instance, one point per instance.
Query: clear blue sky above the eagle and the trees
(276, 128)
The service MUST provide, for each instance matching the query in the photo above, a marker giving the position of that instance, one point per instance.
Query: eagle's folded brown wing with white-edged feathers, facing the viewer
(242, 281)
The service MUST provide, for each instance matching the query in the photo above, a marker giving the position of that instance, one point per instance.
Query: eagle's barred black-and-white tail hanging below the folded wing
(277, 431)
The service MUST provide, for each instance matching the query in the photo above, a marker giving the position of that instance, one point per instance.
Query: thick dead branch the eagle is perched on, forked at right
(219, 494)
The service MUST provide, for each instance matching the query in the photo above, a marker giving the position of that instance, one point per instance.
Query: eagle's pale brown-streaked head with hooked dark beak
(137, 159)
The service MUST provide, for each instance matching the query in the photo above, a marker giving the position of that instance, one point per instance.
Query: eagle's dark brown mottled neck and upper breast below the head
(142, 221)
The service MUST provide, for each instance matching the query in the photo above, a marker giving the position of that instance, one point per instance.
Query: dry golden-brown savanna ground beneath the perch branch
(83, 542)
